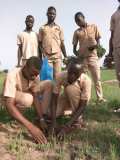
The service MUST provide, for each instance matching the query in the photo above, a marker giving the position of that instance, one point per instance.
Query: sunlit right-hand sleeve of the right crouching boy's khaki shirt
(86, 89)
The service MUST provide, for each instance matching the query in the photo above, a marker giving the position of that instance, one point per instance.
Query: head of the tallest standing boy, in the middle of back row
(51, 14)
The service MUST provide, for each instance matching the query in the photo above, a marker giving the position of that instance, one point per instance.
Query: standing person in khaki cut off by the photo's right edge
(114, 43)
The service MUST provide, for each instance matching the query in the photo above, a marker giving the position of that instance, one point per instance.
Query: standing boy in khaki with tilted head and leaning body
(87, 36)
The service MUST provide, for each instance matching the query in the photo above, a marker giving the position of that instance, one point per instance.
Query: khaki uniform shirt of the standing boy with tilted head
(86, 37)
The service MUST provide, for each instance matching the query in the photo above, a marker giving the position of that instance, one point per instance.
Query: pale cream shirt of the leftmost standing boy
(29, 42)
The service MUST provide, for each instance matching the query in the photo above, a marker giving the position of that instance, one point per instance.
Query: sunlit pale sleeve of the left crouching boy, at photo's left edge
(9, 86)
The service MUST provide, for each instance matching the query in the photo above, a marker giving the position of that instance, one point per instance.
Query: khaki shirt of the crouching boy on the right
(83, 82)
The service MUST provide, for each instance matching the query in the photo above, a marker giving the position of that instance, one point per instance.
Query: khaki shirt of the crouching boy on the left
(16, 82)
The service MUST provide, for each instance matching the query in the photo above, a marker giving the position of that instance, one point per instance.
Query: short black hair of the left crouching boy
(34, 62)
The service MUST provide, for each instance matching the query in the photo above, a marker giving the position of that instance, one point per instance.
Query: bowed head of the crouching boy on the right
(75, 68)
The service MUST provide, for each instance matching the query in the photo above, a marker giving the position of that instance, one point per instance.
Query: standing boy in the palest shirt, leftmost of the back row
(27, 42)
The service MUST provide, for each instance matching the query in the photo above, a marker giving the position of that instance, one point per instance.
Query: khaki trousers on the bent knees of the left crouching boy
(25, 99)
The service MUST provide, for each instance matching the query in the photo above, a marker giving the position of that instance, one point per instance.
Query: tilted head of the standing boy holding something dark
(80, 19)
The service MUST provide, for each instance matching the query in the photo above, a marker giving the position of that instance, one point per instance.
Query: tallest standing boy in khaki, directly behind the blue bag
(51, 41)
